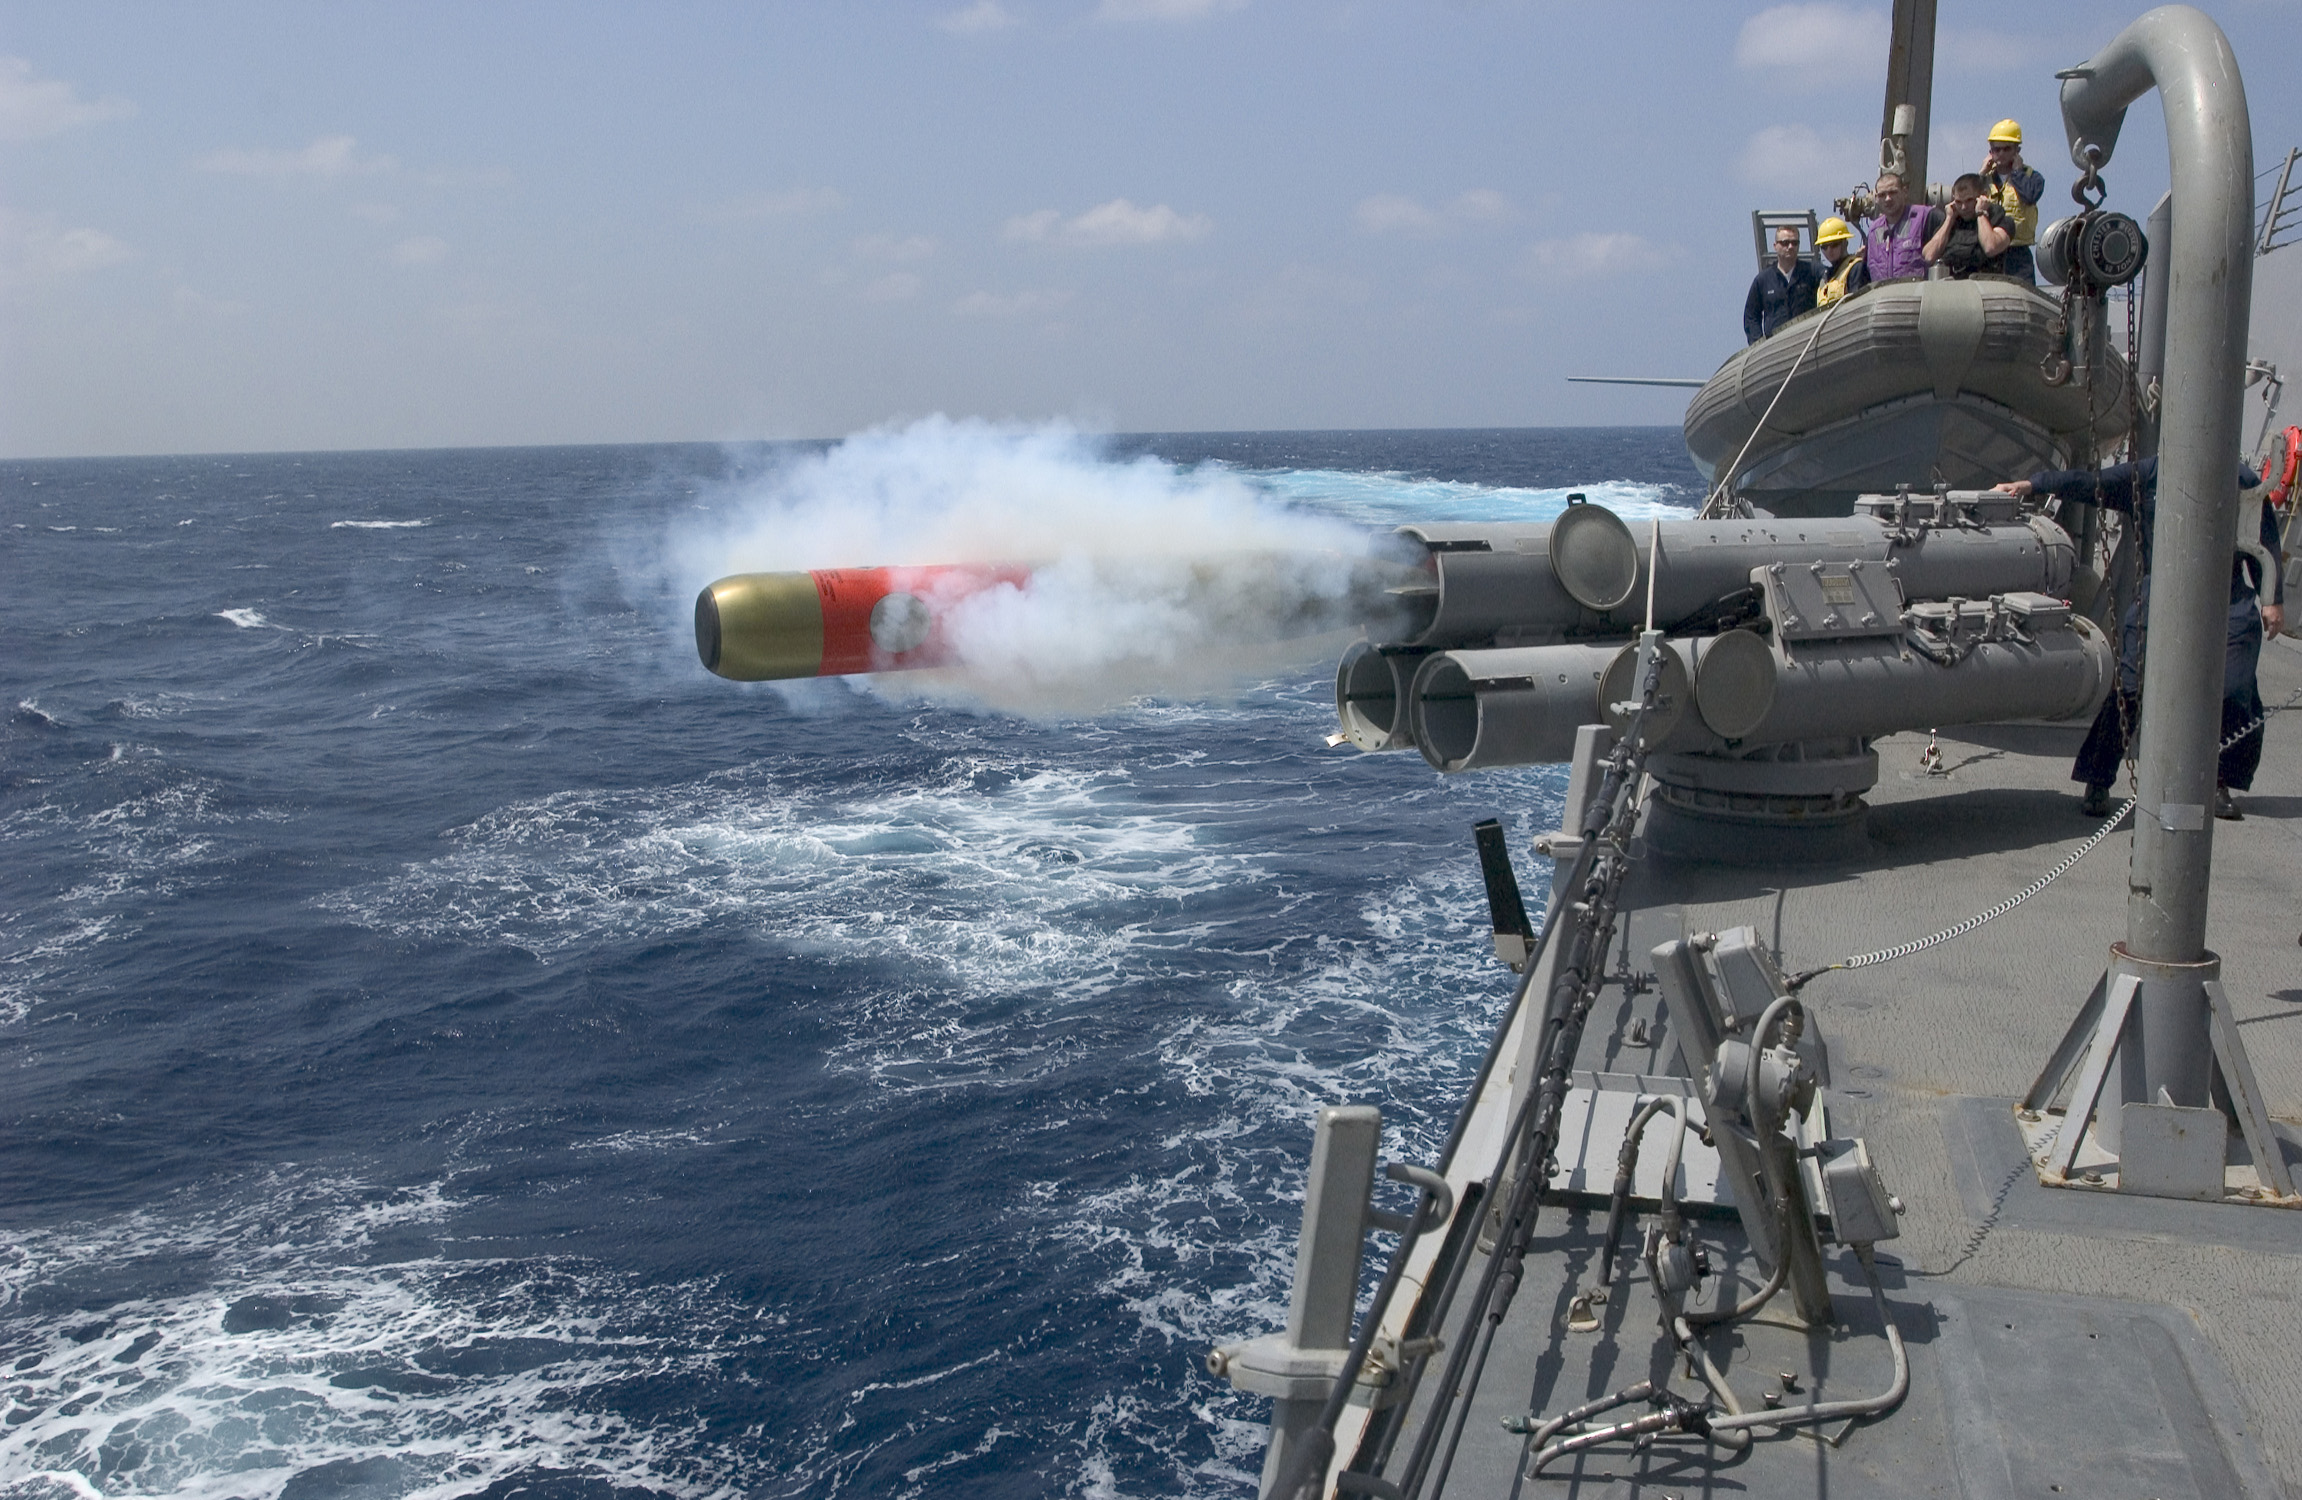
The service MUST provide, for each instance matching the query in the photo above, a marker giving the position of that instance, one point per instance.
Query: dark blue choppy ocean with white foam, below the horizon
(459, 1048)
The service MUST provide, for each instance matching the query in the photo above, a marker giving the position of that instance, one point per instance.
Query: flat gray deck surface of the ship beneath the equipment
(2061, 1342)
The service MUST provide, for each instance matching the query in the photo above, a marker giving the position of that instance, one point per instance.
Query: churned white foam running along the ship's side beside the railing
(1203, 1250)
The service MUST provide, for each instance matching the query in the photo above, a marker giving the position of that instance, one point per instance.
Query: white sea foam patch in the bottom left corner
(448, 1372)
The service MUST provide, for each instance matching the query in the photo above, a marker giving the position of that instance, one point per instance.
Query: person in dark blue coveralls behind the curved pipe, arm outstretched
(2257, 613)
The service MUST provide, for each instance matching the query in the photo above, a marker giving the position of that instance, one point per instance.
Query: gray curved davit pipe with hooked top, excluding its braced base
(2211, 282)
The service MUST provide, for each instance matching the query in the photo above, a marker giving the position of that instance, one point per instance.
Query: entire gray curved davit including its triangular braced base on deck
(2158, 1016)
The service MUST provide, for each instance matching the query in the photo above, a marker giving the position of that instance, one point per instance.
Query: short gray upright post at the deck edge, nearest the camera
(1297, 1368)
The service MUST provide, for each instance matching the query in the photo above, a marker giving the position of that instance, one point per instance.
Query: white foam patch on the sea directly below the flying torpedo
(1058, 885)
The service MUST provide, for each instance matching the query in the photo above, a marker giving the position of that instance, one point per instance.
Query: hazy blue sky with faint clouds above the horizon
(344, 227)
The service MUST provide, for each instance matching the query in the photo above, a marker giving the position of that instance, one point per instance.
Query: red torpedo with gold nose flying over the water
(761, 627)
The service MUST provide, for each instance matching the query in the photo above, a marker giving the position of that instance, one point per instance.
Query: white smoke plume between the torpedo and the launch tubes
(1145, 579)
